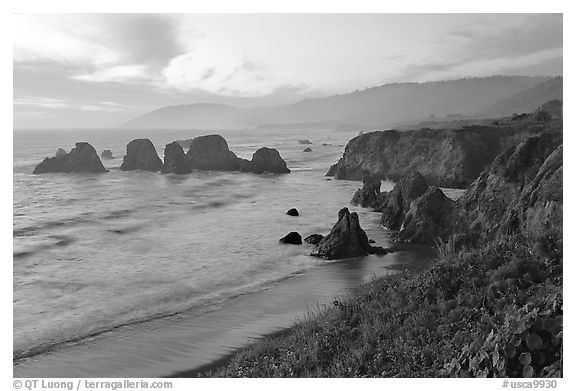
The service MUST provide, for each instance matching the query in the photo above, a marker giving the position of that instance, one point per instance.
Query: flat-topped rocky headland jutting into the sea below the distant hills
(445, 157)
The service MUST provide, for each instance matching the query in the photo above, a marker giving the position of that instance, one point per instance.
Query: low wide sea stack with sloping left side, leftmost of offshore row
(82, 158)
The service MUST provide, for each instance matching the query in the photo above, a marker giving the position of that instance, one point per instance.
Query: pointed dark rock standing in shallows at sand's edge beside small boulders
(346, 239)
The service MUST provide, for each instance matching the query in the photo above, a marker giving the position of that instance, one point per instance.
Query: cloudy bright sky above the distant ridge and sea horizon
(99, 70)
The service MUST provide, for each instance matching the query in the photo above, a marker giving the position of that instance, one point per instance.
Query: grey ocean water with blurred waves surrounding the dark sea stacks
(96, 253)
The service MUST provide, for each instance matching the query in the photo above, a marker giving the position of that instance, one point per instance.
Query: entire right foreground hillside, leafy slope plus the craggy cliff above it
(491, 306)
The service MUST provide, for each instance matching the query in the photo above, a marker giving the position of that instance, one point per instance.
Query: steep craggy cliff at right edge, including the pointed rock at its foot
(519, 192)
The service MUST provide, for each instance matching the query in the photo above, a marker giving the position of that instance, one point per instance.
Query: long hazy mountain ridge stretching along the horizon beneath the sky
(377, 106)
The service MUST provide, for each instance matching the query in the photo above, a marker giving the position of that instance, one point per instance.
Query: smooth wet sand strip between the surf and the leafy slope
(182, 344)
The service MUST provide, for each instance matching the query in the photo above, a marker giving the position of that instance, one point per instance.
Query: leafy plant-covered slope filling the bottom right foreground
(491, 311)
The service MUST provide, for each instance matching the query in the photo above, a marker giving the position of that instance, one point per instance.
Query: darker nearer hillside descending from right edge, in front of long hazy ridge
(526, 101)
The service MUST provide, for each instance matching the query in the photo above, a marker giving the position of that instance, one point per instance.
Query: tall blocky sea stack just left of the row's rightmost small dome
(212, 153)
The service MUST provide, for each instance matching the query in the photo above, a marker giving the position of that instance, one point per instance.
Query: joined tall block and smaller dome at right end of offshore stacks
(212, 153)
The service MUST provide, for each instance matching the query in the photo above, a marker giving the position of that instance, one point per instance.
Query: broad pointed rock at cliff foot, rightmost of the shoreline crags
(430, 219)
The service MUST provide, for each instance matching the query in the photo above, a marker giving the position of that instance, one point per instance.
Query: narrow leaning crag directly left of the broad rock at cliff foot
(398, 201)
